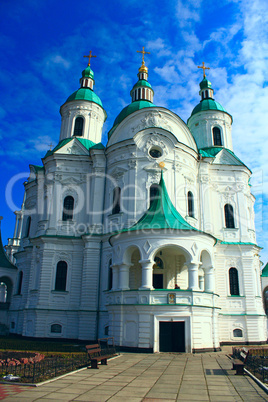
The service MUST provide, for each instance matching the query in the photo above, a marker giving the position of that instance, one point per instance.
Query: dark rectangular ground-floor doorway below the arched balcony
(172, 336)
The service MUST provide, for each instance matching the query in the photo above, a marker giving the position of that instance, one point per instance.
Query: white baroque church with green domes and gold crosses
(149, 239)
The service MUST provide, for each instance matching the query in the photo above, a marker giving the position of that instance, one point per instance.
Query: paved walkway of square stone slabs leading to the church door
(151, 378)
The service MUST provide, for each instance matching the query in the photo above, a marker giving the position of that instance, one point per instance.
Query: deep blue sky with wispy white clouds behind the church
(42, 46)
